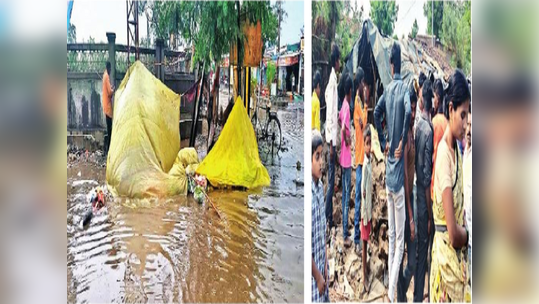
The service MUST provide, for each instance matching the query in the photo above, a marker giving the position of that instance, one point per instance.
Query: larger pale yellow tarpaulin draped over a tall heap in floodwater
(144, 158)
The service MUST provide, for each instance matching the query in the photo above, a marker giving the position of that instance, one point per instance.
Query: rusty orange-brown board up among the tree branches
(252, 54)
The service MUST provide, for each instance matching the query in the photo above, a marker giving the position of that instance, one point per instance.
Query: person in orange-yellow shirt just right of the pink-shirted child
(360, 121)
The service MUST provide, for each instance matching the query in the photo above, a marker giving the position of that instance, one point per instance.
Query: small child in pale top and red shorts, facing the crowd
(366, 206)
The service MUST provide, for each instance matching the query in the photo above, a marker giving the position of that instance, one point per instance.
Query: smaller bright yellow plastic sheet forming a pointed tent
(234, 160)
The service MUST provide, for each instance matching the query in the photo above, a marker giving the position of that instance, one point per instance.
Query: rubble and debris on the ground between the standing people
(345, 265)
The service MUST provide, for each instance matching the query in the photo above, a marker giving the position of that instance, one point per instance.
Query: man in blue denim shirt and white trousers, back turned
(395, 104)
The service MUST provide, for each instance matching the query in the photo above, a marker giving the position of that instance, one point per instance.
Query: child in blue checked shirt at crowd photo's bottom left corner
(319, 270)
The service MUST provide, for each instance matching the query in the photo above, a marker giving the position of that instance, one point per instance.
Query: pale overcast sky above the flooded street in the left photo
(95, 18)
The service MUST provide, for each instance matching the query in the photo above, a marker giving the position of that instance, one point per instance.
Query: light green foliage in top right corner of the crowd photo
(456, 33)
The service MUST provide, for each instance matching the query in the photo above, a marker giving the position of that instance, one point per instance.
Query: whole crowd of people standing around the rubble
(425, 133)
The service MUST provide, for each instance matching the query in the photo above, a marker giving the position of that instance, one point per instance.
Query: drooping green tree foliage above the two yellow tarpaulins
(211, 26)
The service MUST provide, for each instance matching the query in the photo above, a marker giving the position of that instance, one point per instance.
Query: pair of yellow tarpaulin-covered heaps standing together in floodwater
(145, 160)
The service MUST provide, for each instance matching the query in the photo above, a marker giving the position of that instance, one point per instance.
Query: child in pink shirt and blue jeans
(346, 155)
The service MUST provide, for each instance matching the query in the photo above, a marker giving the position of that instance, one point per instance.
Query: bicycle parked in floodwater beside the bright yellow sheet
(268, 135)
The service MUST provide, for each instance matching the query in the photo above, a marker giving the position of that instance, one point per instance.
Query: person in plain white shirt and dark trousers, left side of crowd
(331, 129)
